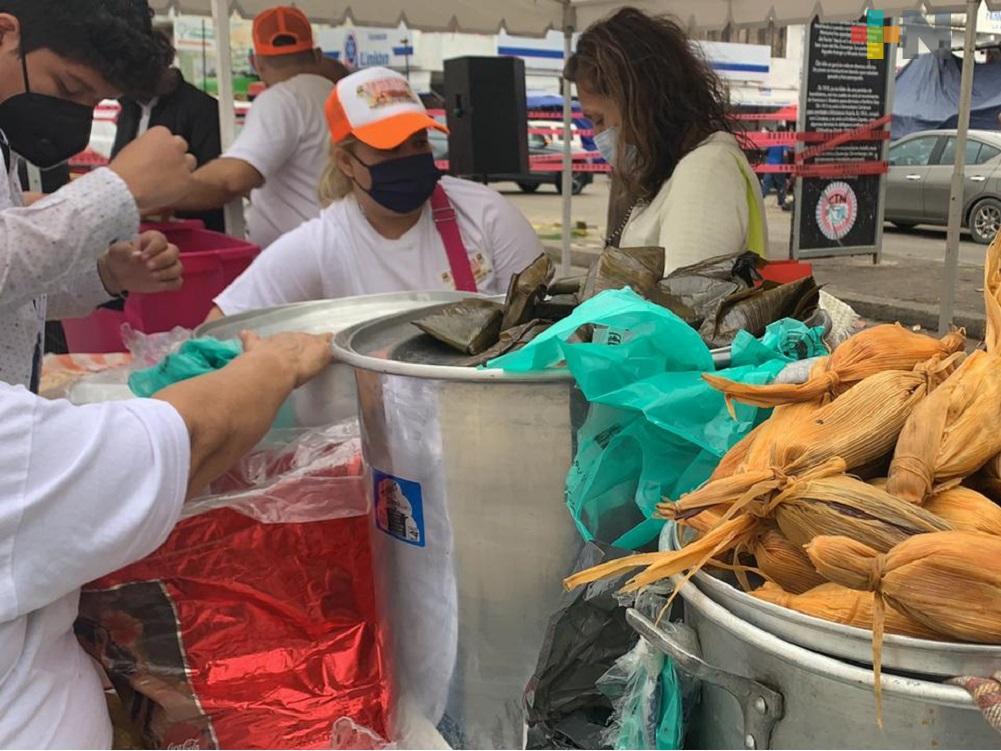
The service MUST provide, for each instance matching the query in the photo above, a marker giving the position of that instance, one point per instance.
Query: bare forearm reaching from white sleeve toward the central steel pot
(229, 412)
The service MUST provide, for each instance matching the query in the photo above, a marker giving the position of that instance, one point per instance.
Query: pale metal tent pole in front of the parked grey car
(956, 193)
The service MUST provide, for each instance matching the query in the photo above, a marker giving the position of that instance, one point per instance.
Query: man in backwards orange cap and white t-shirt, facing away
(279, 158)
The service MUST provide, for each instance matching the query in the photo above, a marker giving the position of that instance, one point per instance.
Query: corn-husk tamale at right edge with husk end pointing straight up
(957, 430)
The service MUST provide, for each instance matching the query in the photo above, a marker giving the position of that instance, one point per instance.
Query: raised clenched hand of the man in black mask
(158, 170)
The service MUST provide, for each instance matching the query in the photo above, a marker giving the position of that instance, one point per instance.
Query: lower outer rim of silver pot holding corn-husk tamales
(952, 696)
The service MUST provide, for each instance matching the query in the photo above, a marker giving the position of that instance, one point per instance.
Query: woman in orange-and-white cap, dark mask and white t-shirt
(393, 223)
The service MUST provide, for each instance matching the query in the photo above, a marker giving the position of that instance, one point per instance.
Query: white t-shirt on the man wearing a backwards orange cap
(286, 139)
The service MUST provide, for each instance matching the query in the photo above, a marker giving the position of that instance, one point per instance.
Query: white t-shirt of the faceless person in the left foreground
(85, 491)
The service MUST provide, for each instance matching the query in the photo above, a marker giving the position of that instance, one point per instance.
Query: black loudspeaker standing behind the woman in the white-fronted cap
(488, 118)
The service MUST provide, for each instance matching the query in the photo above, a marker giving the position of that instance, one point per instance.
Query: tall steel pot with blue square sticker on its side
(472, 536)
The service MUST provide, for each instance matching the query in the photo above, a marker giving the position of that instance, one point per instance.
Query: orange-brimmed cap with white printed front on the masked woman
(379, 108)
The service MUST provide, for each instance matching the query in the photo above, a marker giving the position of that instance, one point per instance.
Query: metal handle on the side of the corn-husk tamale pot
(762, 707)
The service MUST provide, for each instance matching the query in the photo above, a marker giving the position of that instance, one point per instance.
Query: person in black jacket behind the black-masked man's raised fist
(185, 111)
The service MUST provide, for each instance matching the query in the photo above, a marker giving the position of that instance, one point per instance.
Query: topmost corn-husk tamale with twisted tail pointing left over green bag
(883, 348)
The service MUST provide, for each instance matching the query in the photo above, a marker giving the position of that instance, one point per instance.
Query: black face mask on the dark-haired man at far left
(46, 131)
